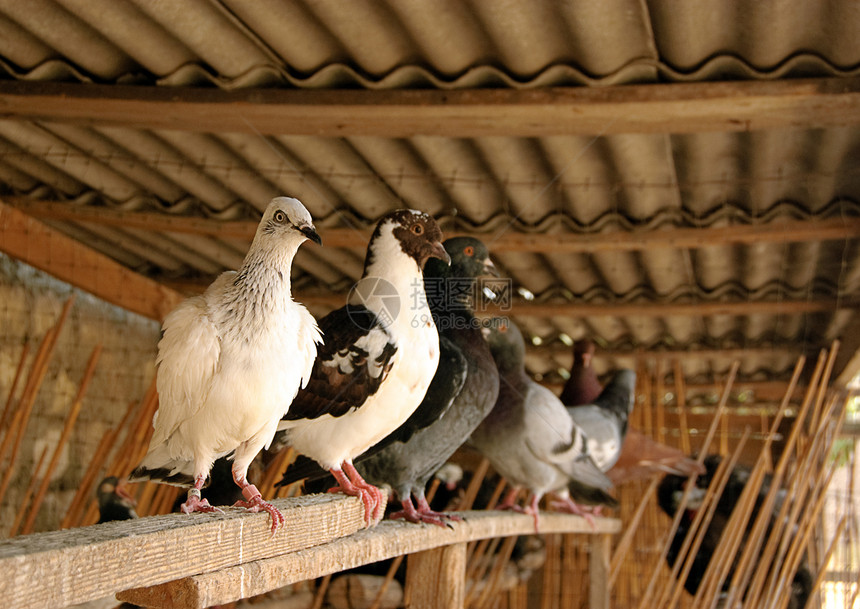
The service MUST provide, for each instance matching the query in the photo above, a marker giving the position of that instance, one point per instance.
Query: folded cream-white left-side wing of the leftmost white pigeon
(188, 355)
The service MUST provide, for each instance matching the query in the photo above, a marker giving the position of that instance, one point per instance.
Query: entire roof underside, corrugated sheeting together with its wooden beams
(477, 106)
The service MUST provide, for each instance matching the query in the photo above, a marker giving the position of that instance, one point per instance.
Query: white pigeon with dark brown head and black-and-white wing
(381, 351)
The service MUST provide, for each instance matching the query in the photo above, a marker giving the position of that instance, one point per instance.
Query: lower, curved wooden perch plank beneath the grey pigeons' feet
(386, 540)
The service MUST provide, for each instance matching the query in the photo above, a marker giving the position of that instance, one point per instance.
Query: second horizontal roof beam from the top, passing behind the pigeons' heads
(779, 231)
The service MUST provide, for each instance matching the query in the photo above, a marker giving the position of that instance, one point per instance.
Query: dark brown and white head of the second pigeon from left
(409, 231)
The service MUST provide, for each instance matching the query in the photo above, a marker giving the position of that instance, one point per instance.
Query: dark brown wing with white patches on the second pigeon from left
(351, 364)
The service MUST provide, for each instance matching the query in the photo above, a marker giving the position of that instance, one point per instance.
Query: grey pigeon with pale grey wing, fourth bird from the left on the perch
(529, 437)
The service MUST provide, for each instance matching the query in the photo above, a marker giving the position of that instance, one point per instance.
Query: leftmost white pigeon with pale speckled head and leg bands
(230, 362)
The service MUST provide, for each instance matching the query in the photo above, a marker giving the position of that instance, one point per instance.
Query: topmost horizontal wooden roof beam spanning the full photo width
(588, 111)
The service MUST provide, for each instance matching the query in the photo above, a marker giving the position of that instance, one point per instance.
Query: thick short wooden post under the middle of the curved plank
(436, 579)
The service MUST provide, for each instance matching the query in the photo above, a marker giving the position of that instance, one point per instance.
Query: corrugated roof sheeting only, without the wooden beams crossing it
(573, 184)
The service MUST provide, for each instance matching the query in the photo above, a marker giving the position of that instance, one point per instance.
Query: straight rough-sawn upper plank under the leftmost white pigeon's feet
(61, 568)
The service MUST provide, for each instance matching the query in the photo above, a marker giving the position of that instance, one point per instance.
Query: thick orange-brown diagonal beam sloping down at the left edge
(28, 240)
